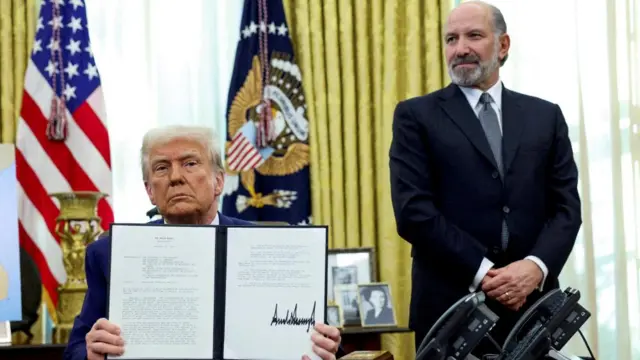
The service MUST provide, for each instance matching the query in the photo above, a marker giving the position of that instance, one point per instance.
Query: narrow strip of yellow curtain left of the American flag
(17, 26)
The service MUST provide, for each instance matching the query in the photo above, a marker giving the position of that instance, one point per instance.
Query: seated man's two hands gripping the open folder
(105, 339)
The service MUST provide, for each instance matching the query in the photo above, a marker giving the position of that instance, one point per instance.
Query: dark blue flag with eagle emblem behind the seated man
(267, 148)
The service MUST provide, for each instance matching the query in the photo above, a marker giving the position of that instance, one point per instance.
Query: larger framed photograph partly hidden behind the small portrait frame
(350, 267)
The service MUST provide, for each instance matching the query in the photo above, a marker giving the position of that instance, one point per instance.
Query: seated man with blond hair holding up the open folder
(183, 175)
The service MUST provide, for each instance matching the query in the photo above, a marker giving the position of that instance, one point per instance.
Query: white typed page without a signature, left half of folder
(162, 290)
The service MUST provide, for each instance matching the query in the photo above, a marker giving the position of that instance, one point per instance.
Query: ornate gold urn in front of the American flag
(78, 225)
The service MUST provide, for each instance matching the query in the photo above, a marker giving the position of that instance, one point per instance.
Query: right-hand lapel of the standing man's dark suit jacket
(513, 122)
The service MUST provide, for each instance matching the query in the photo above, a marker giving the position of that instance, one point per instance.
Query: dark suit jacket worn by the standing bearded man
(449, 199)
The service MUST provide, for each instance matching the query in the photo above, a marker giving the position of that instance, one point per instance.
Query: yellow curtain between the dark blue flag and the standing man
(358, 59)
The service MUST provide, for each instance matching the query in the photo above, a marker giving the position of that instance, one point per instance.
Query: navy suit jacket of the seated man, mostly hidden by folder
(95, 300)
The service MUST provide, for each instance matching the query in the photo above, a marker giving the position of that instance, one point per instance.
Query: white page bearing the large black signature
(268, 267)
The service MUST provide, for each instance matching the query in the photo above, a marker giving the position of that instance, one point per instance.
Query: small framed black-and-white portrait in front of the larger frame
(376, 305)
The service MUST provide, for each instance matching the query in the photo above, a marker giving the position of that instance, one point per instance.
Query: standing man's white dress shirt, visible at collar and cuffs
(473, 97)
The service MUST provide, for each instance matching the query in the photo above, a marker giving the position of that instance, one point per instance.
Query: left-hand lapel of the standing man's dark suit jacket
(455, 104)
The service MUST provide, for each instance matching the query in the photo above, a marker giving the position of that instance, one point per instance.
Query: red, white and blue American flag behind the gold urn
(61, 59)
